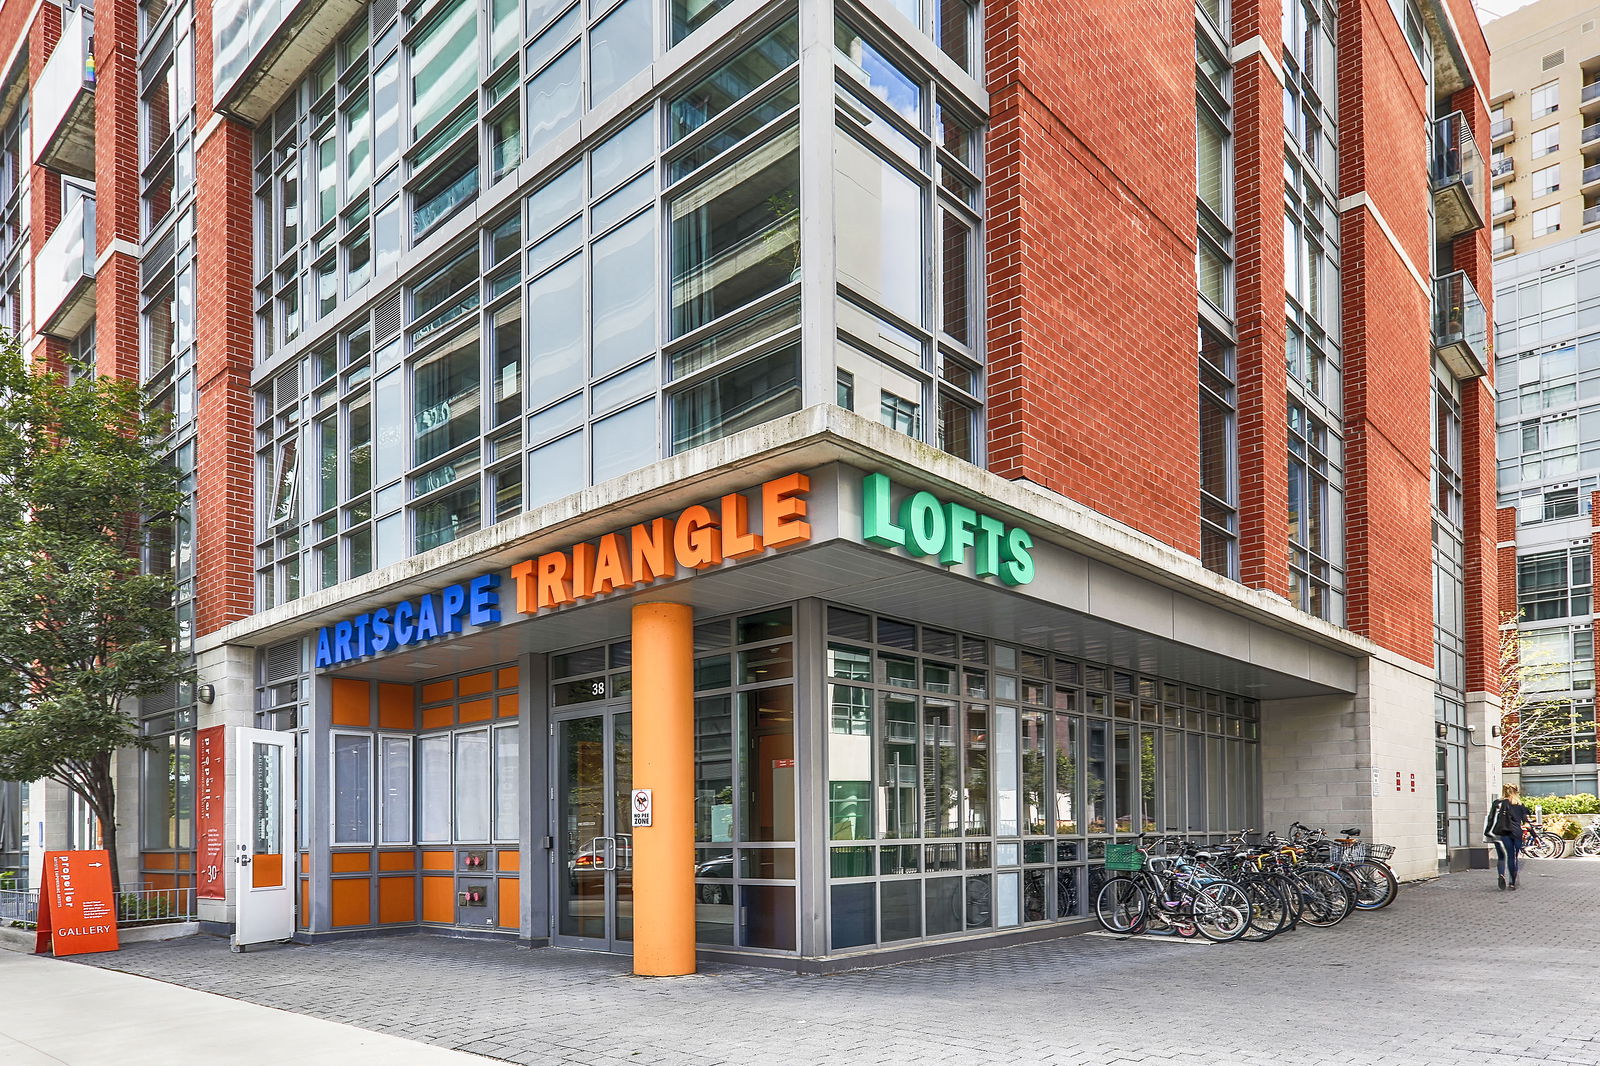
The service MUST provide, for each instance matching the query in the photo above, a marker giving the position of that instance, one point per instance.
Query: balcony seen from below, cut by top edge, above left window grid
(263, 47)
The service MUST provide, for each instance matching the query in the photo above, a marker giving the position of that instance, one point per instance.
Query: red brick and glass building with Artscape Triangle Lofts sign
(780, 481)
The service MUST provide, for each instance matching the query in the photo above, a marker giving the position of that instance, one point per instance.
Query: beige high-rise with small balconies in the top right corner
(1545, 124)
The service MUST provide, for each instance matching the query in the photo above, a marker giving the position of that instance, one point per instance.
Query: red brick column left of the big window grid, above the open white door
(225, 409)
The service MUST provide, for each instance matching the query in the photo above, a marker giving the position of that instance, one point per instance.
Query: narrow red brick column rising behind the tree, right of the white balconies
(118, 188)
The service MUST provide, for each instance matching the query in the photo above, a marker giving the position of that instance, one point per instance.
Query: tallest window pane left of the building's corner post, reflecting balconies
(737, 236)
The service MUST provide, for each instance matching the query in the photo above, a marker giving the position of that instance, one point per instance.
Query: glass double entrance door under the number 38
(594, 844)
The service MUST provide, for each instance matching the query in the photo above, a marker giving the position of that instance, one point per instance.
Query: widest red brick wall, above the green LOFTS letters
(1090, 257)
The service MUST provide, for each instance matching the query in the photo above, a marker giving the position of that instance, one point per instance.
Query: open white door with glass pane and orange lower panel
(265, 857)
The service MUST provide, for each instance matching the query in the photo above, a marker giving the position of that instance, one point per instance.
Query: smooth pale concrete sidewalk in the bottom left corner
(54, 1012)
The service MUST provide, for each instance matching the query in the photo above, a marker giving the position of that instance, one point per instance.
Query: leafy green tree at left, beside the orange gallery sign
(82, 630)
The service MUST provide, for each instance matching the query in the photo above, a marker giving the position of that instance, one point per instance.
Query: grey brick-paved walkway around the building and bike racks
(1454, 972)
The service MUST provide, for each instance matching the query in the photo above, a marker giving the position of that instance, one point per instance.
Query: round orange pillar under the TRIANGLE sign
(665, 764)
